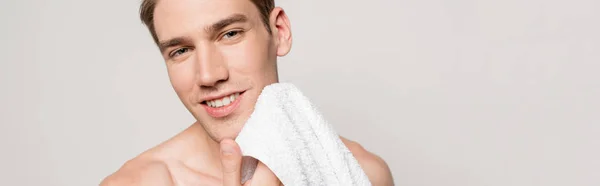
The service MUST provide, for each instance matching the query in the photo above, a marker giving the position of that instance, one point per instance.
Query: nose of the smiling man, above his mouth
(211, 67)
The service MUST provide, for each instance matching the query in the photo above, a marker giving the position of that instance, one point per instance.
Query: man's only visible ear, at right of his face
(281, 31)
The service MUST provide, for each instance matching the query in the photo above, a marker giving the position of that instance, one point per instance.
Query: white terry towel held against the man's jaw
(287, 134)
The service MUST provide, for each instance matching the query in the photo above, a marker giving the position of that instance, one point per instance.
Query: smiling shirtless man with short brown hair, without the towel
(219, 55)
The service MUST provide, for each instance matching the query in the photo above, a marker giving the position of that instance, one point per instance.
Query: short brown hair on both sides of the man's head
(147, 13)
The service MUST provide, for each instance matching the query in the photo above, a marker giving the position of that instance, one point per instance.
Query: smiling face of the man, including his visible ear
(219, 56)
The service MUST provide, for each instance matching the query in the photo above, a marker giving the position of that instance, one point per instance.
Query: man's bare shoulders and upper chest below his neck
(188, 159)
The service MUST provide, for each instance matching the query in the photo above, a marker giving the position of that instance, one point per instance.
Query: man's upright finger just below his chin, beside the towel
(231, 160)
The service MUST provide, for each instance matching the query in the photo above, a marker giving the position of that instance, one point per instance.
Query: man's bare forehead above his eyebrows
(173, 18)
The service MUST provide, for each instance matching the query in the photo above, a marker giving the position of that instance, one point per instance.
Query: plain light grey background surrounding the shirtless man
(460, 92)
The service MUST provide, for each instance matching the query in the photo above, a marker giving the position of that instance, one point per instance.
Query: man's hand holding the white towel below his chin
(231, 160)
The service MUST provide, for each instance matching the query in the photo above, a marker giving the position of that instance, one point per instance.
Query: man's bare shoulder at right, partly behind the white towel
(376, 169)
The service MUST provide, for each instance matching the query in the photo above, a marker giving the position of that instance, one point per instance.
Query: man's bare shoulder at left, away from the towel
(140, 171)
